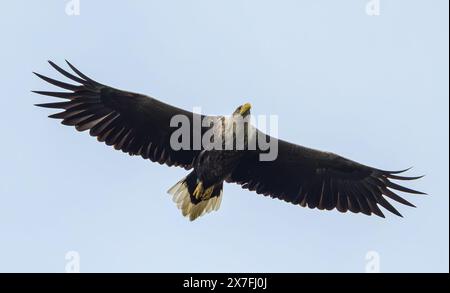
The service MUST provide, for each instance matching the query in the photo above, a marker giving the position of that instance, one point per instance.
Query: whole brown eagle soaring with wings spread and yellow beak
(141, 125)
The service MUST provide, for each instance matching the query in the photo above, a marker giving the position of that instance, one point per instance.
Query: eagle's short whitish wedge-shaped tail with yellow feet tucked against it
(192, 199)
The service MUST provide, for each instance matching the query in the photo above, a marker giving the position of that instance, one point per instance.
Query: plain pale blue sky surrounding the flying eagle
(371, 88)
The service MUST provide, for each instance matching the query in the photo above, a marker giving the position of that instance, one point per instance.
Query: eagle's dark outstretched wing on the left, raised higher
(134, 123)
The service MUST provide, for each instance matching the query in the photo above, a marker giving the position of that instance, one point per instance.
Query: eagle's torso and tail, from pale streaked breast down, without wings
(202, 188)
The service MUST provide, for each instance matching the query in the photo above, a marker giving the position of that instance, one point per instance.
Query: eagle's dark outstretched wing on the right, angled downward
(321, 180)
